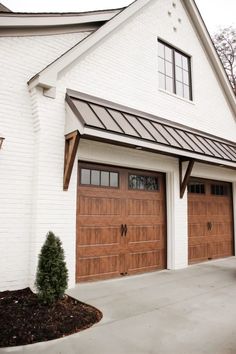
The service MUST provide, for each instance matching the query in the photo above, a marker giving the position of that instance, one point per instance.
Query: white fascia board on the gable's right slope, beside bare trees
(210, 49)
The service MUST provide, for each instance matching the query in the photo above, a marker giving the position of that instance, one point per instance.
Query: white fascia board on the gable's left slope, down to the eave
(74, 53)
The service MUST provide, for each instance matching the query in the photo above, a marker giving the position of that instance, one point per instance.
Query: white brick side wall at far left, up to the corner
(20, 59)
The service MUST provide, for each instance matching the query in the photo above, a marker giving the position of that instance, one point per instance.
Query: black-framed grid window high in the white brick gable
(174, 71)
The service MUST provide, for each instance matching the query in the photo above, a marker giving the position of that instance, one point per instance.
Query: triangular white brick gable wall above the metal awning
(123, 68)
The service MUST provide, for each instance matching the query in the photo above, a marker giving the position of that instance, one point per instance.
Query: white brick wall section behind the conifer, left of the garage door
(54, 209)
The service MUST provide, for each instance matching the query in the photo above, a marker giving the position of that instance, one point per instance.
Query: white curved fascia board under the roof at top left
(52, 20)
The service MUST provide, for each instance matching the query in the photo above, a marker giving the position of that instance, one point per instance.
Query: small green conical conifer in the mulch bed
(52, 274)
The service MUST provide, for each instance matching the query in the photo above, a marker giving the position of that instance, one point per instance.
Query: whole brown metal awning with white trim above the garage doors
(102, 120)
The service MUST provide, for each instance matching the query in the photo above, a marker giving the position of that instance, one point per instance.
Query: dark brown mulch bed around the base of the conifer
(23, 320)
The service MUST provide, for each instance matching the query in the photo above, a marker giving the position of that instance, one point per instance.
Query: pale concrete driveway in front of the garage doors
(183, 312)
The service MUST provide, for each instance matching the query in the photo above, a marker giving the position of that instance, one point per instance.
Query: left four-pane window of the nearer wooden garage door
(99, 178)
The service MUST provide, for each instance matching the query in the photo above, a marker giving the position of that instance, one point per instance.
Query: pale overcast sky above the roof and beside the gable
(216, 13)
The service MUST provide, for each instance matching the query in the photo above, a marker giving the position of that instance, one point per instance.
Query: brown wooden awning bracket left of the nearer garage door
(71, 146)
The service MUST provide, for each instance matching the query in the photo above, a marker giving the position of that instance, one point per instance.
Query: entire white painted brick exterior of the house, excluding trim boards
(123, 69)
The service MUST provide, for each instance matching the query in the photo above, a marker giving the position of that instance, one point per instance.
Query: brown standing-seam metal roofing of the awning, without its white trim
(108, 117)
